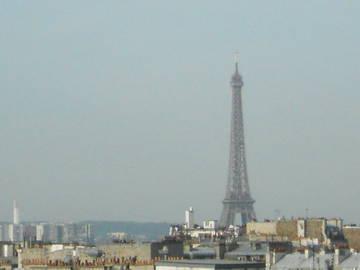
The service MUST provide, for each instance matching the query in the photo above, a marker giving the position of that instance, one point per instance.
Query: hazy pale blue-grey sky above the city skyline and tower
(120, 110)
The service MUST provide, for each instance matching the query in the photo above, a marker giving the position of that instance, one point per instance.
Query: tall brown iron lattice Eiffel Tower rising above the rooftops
(237, 197)
